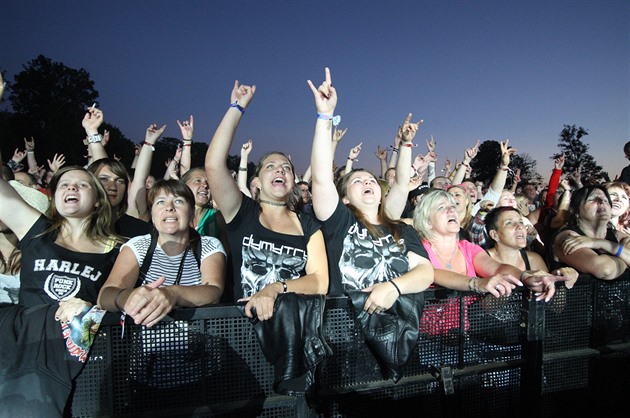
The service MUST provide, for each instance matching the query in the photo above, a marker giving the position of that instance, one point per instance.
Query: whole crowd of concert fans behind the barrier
(106, 235)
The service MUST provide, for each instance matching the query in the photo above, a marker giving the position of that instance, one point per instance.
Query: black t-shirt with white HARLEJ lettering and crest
(50, 273)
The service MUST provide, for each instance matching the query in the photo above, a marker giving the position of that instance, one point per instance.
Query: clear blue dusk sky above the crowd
(471, 69)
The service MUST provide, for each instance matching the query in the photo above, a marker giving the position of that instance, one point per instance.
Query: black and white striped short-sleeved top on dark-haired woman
(164, 265)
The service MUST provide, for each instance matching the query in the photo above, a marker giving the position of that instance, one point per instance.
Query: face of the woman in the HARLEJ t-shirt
(74, 196)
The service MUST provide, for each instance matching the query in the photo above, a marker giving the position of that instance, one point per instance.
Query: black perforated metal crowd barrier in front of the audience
(476, 357)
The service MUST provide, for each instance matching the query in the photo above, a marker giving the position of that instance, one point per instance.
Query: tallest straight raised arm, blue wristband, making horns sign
(325, 197)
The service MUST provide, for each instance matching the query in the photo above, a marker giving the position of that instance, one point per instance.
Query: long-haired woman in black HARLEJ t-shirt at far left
(65, 260)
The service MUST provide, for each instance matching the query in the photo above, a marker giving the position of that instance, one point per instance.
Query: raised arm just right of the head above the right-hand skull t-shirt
(396, 198)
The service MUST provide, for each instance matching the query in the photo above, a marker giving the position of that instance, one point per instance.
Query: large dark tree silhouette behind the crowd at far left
(48, 101)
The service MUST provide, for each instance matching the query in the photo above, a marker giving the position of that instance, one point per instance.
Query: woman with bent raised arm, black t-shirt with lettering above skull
(274, 249)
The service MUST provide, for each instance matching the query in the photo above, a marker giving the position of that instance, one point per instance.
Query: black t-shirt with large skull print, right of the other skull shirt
(357, 259)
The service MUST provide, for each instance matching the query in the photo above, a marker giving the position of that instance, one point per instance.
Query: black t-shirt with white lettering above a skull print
(260, 256)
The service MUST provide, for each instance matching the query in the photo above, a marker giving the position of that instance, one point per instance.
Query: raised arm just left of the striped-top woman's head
(137, 195)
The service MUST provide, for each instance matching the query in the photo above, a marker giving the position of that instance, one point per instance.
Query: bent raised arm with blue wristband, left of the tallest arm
(224, 189)
